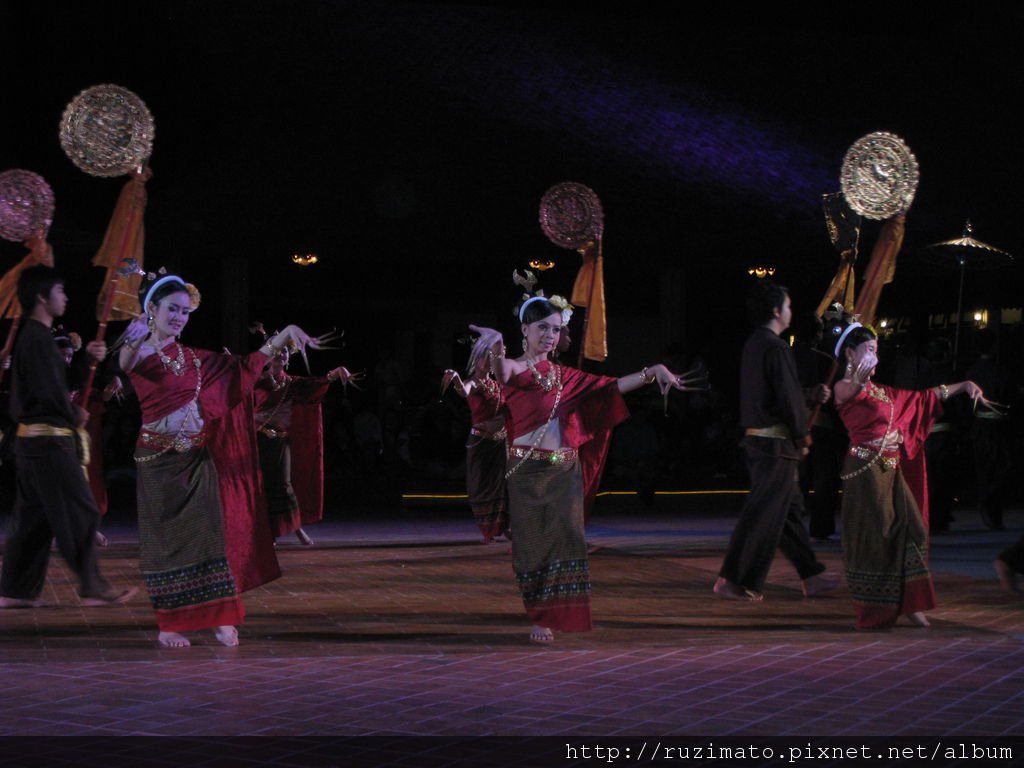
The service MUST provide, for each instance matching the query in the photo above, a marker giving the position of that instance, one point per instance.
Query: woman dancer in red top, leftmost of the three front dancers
(204, 537)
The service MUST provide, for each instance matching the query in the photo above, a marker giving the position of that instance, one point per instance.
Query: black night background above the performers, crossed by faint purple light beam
(409, 146)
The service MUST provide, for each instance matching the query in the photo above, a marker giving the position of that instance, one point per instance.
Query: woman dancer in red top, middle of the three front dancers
(553, 415)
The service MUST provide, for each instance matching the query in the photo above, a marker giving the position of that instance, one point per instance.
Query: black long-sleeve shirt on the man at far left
(39, 380)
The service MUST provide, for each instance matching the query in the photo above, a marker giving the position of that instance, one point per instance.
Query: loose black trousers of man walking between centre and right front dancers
(771, 520)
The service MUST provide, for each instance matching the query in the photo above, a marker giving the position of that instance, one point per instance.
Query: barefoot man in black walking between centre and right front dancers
(774, 412)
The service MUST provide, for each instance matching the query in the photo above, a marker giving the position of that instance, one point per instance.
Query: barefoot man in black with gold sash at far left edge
(54, 498)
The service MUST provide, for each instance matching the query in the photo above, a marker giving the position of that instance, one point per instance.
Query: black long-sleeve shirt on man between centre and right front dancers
(770, 387)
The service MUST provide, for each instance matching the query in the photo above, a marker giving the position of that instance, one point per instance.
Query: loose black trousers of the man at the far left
(54, 502)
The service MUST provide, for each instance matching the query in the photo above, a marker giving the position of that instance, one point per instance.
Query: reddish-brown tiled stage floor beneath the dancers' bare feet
(411, 627)
